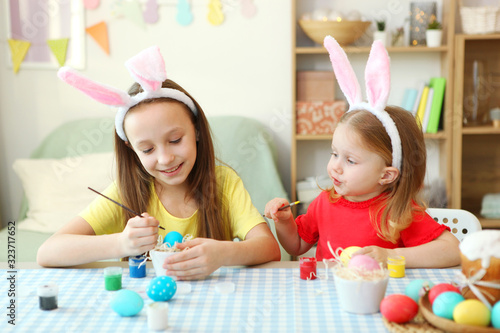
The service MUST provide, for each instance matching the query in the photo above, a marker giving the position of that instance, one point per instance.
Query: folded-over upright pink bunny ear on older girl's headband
(148, 68)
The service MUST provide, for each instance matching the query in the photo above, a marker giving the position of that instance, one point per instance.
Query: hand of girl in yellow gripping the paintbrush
(139, 236)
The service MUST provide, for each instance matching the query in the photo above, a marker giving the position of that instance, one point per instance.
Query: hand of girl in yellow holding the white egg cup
(203, 257)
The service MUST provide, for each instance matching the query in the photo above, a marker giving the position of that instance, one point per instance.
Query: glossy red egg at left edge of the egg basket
(398, 308)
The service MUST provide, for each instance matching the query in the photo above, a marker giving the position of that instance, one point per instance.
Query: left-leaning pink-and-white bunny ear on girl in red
(343, 71)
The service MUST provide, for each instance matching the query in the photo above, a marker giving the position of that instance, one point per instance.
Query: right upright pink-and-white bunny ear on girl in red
(378, 76)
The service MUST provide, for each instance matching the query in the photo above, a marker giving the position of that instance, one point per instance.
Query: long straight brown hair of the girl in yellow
(134, 183)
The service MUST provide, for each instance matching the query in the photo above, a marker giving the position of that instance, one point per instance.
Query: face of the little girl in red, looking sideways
(358, 174)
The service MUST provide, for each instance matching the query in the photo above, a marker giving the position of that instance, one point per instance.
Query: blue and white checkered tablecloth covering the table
(265, 300)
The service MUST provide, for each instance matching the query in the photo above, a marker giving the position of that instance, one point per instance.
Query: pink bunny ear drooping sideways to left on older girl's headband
(100, 92)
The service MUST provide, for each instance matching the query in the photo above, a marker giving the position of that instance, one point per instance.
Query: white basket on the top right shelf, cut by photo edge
(480, 20)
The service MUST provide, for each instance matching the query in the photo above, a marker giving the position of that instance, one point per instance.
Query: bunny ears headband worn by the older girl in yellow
(147, 68)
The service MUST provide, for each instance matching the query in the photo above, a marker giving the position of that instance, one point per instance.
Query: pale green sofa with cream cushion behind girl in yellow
(79, 154)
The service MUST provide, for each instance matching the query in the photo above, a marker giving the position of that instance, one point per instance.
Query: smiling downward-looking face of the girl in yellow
(164, 138)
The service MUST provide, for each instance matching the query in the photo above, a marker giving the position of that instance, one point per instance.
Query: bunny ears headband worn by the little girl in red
(377, 80)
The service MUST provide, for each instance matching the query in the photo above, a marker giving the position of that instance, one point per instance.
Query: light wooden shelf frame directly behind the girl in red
(443, 137)
